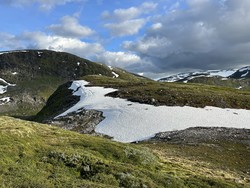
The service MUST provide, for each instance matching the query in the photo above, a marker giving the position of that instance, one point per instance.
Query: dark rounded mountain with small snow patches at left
(29, 77)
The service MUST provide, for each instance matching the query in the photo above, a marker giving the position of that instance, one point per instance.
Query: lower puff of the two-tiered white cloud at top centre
(128, 27)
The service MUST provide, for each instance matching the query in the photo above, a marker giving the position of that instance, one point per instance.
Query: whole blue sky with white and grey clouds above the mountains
(154, 38)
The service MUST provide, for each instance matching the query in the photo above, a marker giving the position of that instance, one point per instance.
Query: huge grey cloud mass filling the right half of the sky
(205, 35)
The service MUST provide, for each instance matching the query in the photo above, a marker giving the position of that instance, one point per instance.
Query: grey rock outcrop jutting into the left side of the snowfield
(84, 121)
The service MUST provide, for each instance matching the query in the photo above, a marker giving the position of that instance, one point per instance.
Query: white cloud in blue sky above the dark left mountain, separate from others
(70, 27)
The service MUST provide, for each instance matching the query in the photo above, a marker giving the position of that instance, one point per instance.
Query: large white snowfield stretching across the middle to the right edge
(129, 121)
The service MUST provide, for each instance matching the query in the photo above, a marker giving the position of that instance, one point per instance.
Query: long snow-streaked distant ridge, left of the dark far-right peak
(185, 77)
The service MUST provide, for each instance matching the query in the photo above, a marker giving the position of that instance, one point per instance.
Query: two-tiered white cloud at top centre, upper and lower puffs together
(127, 21)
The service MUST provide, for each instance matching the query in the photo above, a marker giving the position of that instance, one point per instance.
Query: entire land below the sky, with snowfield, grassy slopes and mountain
(42, 93)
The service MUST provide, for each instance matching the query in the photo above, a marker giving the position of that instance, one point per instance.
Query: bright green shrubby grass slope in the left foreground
(37, 155)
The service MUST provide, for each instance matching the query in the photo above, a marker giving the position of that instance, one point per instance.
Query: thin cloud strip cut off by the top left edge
(44, 4)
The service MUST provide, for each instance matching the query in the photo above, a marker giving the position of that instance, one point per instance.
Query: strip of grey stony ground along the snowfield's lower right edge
(196, 135)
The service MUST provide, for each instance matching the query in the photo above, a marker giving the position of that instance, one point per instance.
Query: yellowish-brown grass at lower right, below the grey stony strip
(227, 160)
